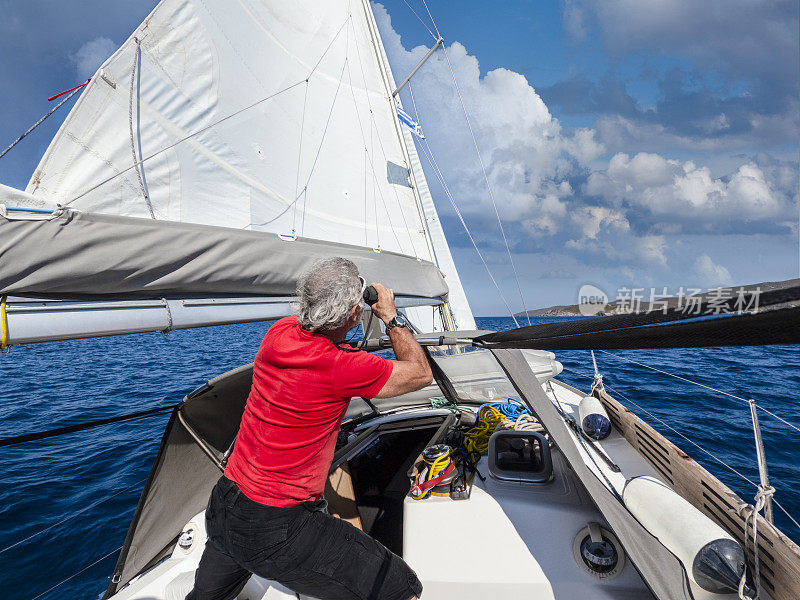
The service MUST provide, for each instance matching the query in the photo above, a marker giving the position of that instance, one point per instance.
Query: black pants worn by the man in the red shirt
(301, 547)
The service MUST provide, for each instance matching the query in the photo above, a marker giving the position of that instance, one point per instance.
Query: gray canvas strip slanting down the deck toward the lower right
(659, 568)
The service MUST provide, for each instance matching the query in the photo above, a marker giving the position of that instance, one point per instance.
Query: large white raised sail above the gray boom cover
(260, 115)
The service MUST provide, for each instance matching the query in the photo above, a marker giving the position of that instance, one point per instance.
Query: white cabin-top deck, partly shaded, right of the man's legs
(509, 540)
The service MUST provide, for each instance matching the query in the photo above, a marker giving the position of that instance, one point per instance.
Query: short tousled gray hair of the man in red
(326, 293)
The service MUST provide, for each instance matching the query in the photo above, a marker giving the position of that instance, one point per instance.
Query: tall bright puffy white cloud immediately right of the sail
(529, 157)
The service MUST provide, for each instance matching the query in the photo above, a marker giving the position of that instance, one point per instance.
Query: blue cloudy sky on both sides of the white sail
(628, 143)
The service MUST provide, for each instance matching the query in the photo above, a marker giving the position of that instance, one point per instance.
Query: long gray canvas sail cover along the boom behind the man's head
(94, 256)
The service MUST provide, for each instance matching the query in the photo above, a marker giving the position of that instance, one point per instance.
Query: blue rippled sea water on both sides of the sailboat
(101, 471)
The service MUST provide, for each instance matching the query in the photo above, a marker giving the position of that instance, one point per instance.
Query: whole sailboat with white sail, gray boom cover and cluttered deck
(215, 155)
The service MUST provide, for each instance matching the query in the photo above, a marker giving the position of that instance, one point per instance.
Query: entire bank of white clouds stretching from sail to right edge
(554, 192)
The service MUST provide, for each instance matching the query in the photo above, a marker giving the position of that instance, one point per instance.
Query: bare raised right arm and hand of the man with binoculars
(411, 371)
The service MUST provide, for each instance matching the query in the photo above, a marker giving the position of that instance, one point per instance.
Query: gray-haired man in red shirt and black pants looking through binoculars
(266, 515)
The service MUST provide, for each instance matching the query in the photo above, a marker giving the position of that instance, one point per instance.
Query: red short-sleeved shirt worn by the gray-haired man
(302, 384)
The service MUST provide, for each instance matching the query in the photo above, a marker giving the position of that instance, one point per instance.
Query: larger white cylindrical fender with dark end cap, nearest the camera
(711, 557)
